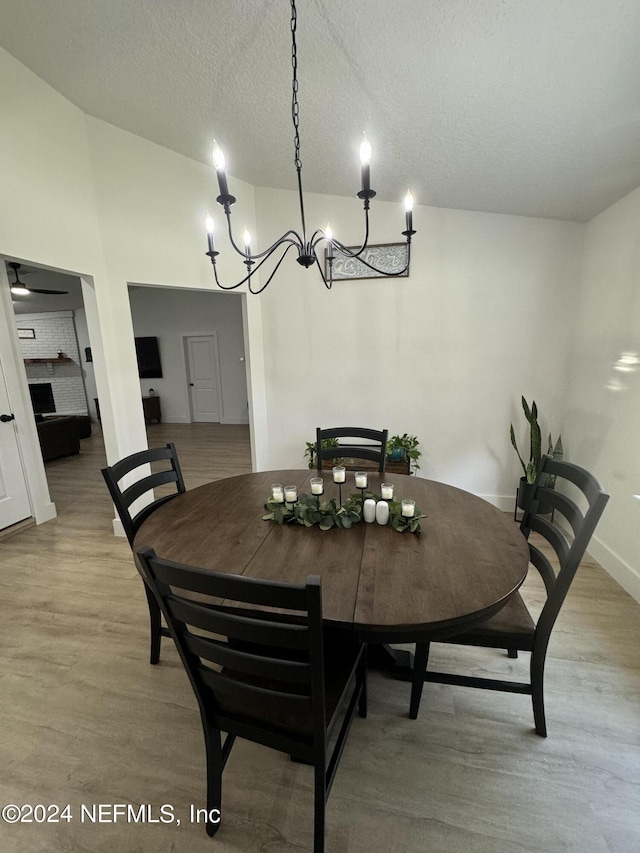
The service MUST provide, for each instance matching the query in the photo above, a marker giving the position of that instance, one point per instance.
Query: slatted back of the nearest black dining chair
(242, 657)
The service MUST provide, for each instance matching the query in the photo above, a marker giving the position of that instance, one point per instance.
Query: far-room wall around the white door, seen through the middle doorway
(170, 314)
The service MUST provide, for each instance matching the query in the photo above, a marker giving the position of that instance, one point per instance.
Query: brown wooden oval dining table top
(388, 586)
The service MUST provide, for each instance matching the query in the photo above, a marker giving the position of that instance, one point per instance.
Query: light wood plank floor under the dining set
(86, 720)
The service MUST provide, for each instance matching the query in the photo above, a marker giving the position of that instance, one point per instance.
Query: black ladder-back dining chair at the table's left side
(140, 481)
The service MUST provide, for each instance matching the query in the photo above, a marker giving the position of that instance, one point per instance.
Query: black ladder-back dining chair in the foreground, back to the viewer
(258, 674)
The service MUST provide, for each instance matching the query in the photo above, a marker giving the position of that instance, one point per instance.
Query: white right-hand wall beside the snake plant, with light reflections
(603, 409)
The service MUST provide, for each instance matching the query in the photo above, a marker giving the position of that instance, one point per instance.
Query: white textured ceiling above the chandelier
(514, 106)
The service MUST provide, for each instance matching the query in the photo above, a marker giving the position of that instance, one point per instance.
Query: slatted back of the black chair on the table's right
(569, 545)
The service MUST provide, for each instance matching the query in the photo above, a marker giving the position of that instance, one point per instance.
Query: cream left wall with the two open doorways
(81, 196)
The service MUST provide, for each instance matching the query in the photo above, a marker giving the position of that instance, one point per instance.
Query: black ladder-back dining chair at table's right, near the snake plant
(576, 504)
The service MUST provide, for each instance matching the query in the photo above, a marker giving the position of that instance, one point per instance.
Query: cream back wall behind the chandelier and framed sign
(444, 354)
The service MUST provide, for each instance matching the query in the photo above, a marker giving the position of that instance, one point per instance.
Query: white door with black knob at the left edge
(14, 497)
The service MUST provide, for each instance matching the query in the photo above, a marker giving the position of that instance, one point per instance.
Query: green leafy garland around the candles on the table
(309, 511)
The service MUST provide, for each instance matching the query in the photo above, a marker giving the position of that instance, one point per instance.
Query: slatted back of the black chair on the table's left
(125, 496)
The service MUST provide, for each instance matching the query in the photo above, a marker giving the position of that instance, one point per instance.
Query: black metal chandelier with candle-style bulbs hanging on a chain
(305, 247)
